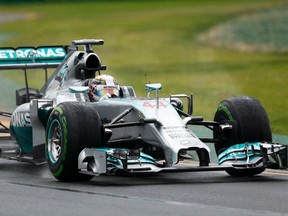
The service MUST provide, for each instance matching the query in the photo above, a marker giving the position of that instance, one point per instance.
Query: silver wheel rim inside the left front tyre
(54, 141)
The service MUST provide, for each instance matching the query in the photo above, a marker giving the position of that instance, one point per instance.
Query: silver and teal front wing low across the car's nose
(98, 161)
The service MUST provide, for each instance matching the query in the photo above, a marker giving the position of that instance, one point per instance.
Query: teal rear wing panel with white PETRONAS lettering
(42, 57)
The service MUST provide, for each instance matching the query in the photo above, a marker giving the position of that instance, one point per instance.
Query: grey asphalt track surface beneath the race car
(26, 189)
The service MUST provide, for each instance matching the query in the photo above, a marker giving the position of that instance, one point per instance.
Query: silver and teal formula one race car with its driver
(84, 126)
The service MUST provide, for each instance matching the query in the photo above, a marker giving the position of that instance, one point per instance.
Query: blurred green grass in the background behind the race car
(160, 39)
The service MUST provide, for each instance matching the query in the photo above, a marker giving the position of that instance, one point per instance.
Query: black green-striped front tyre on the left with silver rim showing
(71, 127)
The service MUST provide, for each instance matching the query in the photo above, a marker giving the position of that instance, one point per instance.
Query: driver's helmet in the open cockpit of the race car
(104, 85)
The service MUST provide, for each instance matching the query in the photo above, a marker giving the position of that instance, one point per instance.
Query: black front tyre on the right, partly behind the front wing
(250, 124)
